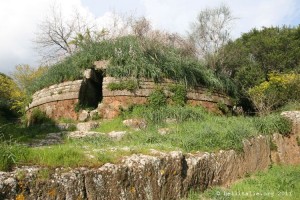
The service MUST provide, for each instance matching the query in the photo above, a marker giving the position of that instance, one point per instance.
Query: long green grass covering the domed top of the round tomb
(134, 57)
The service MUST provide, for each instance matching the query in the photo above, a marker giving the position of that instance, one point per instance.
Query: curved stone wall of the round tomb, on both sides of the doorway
(60, 100)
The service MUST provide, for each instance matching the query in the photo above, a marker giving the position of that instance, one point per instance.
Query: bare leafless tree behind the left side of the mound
(56, 33)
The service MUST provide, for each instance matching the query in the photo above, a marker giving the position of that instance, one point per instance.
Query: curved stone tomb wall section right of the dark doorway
(113, 100)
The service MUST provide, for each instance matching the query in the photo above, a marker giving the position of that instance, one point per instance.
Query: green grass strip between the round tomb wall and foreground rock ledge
(192, 130)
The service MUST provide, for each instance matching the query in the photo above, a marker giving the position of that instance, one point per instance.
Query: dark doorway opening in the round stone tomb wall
(90, 94)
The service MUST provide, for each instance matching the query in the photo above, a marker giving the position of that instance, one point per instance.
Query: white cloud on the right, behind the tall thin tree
(177, 15)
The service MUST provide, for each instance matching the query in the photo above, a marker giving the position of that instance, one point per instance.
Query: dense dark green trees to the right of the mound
(261, 52)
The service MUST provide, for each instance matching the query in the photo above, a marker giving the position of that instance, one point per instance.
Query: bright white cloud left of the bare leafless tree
(19, 20)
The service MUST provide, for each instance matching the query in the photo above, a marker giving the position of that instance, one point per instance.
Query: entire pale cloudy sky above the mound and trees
(19, 19)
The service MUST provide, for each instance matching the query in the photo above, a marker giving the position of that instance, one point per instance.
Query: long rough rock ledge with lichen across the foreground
(157, 176)
